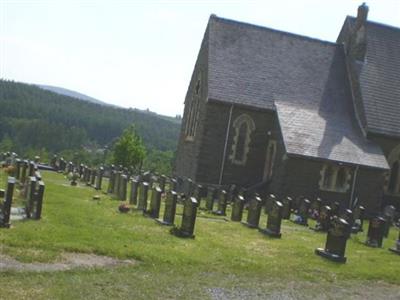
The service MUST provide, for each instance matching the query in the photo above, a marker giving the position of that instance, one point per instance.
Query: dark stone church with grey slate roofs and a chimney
(296, 115)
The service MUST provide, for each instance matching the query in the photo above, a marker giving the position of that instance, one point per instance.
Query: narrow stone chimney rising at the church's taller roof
(358, 47)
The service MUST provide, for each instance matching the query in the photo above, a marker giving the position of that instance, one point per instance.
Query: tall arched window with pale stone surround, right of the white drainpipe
(244, 126)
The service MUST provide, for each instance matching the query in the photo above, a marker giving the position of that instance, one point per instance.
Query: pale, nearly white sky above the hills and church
(141, 54)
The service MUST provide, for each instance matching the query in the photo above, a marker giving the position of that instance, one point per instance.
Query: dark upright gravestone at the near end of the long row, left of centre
(188, 219)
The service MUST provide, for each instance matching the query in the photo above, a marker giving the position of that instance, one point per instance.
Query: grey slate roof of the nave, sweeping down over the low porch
(304, 79)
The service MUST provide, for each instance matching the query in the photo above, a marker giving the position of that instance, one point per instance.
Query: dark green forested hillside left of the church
(31, 117)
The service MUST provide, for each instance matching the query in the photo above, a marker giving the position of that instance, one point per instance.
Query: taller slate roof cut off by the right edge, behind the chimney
(380, 79)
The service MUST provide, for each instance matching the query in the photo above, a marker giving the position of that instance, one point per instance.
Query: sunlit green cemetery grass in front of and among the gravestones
(226, 260)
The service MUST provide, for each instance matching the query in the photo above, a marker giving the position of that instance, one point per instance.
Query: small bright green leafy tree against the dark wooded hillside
(129, 150)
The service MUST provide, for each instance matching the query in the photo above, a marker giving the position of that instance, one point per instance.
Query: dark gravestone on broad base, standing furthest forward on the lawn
(336, 240)
